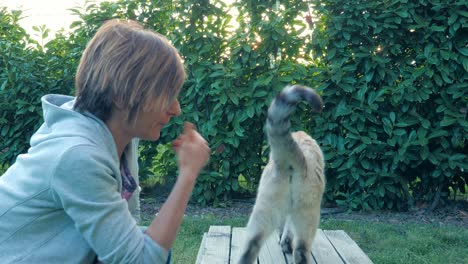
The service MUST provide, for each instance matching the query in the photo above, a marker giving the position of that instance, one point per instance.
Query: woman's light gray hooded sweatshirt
(61, 201)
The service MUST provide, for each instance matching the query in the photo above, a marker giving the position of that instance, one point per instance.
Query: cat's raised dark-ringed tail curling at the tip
(278, 124)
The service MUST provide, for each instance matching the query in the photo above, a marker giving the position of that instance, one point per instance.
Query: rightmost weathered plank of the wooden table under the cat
(348, 250)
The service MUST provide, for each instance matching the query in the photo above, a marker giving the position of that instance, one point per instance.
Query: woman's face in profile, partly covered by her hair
(150, 123)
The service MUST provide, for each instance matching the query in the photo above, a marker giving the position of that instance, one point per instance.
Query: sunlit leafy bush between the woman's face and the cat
(232, 76)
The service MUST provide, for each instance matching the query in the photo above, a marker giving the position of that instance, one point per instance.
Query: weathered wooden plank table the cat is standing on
(222, 244)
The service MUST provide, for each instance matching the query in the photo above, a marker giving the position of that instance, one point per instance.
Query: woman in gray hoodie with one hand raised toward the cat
(73, 197)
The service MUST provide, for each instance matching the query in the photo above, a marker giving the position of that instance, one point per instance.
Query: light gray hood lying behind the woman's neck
(61, 120)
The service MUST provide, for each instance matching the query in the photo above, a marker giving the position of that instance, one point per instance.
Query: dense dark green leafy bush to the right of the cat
(395, 126)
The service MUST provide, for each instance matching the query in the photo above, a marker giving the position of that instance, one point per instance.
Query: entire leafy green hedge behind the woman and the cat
(393, 76)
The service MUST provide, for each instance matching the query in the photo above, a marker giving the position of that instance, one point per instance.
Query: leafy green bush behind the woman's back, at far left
(27, 73)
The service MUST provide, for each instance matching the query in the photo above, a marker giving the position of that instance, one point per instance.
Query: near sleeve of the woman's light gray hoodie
(84, 185)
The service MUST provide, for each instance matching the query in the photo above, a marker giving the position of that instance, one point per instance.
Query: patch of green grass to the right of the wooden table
(406, 243)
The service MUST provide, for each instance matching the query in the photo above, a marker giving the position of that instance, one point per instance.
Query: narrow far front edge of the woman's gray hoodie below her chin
(132, 160)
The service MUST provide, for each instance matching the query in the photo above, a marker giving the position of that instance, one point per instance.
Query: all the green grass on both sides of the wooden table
(382, 242)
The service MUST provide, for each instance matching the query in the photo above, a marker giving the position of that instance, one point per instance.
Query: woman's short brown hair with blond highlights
(130, 66)
